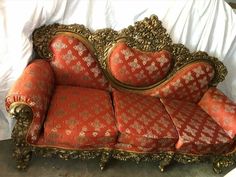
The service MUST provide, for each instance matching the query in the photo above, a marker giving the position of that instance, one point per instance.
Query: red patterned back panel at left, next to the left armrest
(74, 64)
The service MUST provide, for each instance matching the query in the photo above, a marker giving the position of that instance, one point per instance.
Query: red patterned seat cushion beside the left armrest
(80, 117)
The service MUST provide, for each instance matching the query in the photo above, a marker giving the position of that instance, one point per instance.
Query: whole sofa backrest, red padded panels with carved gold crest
(154, 67)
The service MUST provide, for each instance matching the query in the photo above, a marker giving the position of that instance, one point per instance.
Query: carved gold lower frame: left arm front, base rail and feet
(23, 151)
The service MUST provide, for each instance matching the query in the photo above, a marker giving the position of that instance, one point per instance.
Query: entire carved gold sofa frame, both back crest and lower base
(146, 35)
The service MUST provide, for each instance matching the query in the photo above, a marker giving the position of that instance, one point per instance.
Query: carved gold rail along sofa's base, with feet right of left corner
(219, 162)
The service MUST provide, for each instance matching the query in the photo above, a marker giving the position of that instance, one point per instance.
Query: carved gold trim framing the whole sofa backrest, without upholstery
(147, 35)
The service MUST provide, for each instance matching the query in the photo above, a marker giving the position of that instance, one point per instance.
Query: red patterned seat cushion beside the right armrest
(198, 133)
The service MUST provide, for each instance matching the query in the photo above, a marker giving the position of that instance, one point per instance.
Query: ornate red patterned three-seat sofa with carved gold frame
(129, 94)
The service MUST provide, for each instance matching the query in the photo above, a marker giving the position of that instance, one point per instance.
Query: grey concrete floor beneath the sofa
(47, 167)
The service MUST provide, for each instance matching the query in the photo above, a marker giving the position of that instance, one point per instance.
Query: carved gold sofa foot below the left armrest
(22, 155)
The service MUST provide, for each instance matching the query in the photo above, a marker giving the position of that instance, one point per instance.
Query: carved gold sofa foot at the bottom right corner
(222, 162)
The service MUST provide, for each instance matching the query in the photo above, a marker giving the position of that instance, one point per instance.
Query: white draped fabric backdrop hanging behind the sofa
(208, 25)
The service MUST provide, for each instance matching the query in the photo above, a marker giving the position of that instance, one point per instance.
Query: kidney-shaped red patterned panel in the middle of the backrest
(133, 67)
